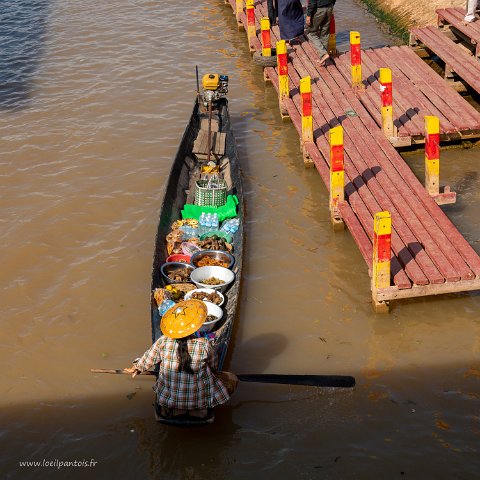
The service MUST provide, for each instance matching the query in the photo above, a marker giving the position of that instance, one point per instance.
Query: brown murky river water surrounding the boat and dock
(94, 98)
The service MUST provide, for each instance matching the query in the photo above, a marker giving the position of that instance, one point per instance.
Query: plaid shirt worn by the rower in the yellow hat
(181, 390)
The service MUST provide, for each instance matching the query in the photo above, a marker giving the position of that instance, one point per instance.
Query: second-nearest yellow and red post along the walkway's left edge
(337, 175)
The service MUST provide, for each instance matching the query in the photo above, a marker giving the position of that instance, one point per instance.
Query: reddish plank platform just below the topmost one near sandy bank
(457, 61)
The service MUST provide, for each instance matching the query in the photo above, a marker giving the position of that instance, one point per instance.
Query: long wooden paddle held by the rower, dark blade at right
(335, 381)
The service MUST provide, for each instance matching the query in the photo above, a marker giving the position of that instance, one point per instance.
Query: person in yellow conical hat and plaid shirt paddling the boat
(188, 380)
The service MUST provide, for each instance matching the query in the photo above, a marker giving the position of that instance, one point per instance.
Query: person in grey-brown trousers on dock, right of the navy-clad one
(319, 16)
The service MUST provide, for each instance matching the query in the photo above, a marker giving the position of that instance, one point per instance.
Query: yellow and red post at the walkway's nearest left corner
(382, 252)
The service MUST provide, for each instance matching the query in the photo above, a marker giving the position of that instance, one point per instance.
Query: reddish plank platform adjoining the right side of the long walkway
(417, 91)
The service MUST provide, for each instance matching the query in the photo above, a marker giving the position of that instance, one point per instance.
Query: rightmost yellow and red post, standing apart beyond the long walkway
(432, 155)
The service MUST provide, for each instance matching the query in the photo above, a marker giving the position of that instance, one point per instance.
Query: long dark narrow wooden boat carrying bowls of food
(180, 190)
